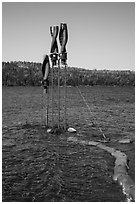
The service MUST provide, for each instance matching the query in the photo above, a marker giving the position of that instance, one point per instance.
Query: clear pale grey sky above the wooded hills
(101, 34)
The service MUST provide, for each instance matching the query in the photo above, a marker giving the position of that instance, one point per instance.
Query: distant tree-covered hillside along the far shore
(29, 74)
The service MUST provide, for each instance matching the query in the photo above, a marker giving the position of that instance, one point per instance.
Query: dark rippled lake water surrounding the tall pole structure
(44, 167)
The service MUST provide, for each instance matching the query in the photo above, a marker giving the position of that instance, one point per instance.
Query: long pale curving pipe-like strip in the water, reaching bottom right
(120, 169)
